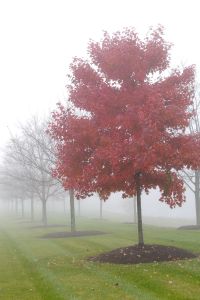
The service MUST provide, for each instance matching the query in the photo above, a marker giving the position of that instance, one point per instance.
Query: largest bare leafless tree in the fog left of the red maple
(33, 151)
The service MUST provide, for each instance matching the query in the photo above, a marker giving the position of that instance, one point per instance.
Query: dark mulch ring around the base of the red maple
(142, 254)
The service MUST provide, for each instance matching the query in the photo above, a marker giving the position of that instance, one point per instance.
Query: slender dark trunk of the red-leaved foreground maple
(139, 210)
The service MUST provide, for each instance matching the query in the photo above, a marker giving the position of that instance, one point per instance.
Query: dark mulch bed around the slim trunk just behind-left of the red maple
(66, 234)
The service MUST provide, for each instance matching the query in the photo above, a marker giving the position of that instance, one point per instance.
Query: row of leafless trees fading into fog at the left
(26, 172)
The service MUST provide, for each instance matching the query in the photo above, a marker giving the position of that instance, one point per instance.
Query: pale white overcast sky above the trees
(38, 39)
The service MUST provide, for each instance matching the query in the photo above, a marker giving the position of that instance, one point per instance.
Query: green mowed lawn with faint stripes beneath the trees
(36, 268)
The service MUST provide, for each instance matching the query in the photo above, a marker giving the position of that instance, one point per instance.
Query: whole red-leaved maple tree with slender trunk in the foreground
(125, 129)
